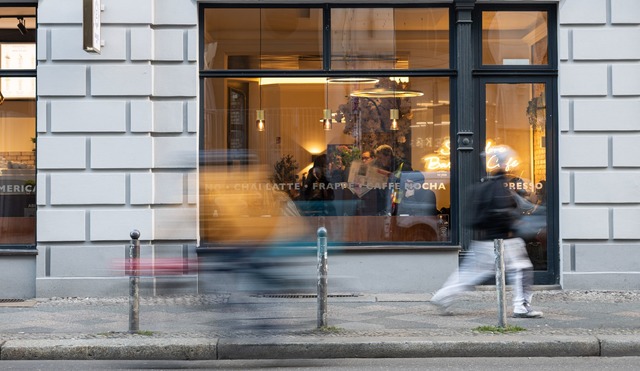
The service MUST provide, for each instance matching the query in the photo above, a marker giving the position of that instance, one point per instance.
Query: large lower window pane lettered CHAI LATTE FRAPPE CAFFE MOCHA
(320, 175)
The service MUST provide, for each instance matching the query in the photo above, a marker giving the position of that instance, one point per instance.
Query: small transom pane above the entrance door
(512, 38)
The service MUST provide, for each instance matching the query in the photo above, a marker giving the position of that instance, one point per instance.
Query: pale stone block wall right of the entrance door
(599, 147)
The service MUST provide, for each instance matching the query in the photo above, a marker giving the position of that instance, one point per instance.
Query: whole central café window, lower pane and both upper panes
(368, 157)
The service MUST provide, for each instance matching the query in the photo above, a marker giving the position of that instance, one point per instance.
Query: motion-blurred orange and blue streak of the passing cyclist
(252, 229)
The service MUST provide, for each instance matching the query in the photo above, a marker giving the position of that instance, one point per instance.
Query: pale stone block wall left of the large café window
(117, 140)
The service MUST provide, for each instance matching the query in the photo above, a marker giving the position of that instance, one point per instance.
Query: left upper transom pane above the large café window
(268, 38)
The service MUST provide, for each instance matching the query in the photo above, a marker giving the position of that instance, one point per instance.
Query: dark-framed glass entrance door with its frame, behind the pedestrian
(516, 114)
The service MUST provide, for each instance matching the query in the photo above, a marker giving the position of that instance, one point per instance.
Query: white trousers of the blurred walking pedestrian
(481, 265)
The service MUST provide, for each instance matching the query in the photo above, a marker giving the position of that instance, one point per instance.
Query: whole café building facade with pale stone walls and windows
(130, 130)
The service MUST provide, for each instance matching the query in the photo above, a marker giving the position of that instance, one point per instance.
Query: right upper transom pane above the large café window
(387, 38)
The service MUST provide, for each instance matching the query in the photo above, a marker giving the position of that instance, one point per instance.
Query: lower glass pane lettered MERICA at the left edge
(17, 172)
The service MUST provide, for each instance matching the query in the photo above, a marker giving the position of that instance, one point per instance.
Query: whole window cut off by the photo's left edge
(17, 126)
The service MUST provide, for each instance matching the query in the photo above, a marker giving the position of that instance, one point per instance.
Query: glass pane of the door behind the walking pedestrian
(516, 116)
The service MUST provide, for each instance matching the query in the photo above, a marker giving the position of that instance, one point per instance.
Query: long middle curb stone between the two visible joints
(490, 346)
